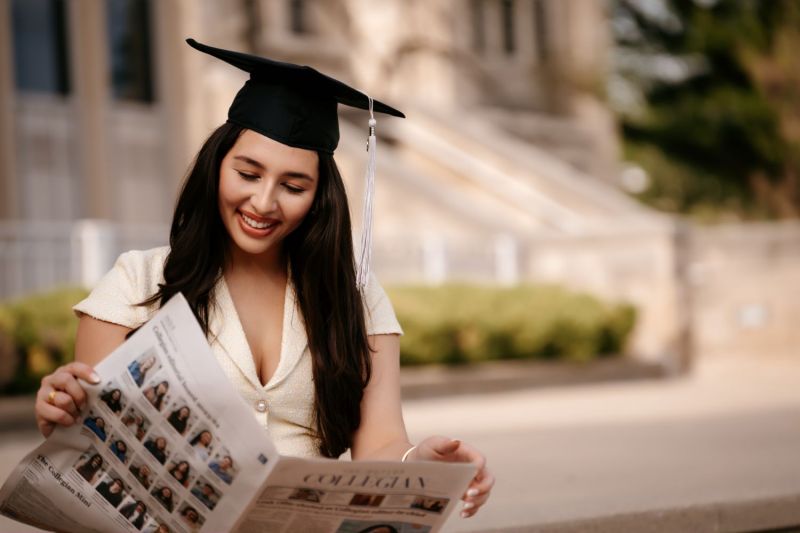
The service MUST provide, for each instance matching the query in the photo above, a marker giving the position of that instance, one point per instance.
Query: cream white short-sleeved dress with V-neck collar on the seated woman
(284, 406)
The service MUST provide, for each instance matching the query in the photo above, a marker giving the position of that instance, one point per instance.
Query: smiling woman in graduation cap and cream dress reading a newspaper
(261, 247)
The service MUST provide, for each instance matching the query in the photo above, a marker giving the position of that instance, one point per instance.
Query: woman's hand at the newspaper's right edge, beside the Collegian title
(455, 451)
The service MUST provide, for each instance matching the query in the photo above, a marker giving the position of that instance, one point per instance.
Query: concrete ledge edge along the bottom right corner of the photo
(778, 514)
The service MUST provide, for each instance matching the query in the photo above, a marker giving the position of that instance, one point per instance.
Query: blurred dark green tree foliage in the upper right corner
(711, 132)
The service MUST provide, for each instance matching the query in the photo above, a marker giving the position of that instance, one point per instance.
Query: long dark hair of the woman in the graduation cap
(320, 252)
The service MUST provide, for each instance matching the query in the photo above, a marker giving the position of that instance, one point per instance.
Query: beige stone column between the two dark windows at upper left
(90, 71)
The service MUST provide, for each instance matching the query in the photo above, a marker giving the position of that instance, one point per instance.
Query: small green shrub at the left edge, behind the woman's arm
(41, 329)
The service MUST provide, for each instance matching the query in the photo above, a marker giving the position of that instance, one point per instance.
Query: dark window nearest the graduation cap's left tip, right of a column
(129, 47)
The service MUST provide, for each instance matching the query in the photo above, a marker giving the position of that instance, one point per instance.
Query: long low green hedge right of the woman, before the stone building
(467, 323)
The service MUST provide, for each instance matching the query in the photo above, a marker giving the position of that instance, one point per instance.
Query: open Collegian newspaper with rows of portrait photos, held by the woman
(165, 445)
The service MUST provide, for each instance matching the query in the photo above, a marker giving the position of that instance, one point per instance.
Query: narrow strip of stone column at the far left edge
(8, 176)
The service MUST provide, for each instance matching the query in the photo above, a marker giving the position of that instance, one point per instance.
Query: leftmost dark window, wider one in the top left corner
(40, 46)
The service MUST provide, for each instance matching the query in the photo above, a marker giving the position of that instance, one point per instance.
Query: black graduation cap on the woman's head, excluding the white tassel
(292, 104)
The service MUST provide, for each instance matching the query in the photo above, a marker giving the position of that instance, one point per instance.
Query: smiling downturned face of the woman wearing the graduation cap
(266, 188)
